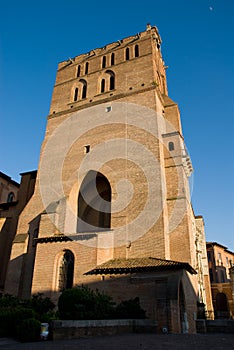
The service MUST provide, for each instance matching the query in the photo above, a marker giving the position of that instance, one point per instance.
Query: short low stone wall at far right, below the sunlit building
(215, 326)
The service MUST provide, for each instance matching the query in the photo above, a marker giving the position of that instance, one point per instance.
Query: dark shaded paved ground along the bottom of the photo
(132, 342)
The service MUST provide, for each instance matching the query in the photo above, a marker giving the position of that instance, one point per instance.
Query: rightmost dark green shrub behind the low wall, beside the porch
(130, 309)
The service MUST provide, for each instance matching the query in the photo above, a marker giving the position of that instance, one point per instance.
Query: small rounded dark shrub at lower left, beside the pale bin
(29, 330)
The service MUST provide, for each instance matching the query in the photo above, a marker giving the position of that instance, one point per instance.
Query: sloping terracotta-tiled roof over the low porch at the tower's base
(125, 266)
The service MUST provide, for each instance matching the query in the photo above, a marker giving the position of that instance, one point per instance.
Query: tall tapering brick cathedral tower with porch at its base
(111, 208)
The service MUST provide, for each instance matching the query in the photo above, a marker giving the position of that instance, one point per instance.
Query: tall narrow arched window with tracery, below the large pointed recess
(66, 271)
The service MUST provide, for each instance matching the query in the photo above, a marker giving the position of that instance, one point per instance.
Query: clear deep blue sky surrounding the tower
(197, 46)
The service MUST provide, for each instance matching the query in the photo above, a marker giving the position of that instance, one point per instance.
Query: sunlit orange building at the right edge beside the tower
(221, 270)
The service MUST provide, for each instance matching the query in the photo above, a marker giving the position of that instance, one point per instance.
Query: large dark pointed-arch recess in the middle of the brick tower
(94, 203)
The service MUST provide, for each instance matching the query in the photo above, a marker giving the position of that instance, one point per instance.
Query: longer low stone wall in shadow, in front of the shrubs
(70, 329)
